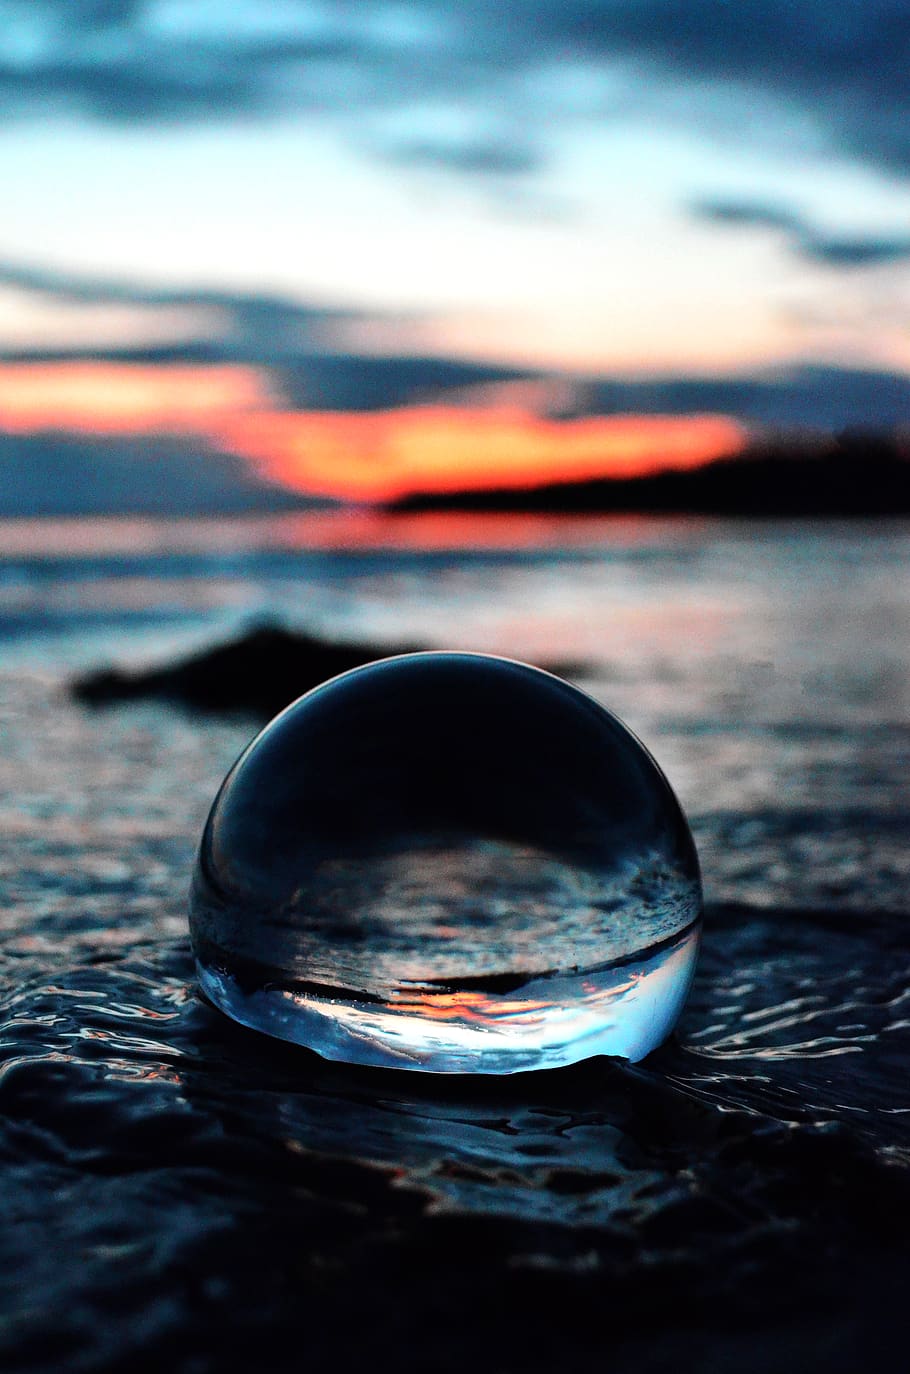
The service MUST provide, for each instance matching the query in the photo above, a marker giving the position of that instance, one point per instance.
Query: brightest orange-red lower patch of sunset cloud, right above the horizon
(435, 449)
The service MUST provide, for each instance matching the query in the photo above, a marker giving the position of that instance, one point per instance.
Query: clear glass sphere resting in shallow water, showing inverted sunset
(449, 862)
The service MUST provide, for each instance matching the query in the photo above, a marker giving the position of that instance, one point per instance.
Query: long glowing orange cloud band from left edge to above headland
(365, 457)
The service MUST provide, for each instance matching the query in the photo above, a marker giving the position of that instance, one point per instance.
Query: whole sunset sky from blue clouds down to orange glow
(375, 248)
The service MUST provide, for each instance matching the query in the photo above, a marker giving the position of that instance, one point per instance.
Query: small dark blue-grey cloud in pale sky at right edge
(809, 243)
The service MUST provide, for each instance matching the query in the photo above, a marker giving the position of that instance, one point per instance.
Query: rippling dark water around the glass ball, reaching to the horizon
(181, 1191)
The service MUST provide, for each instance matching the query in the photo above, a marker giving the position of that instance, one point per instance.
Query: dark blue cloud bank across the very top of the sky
(842, 69)
